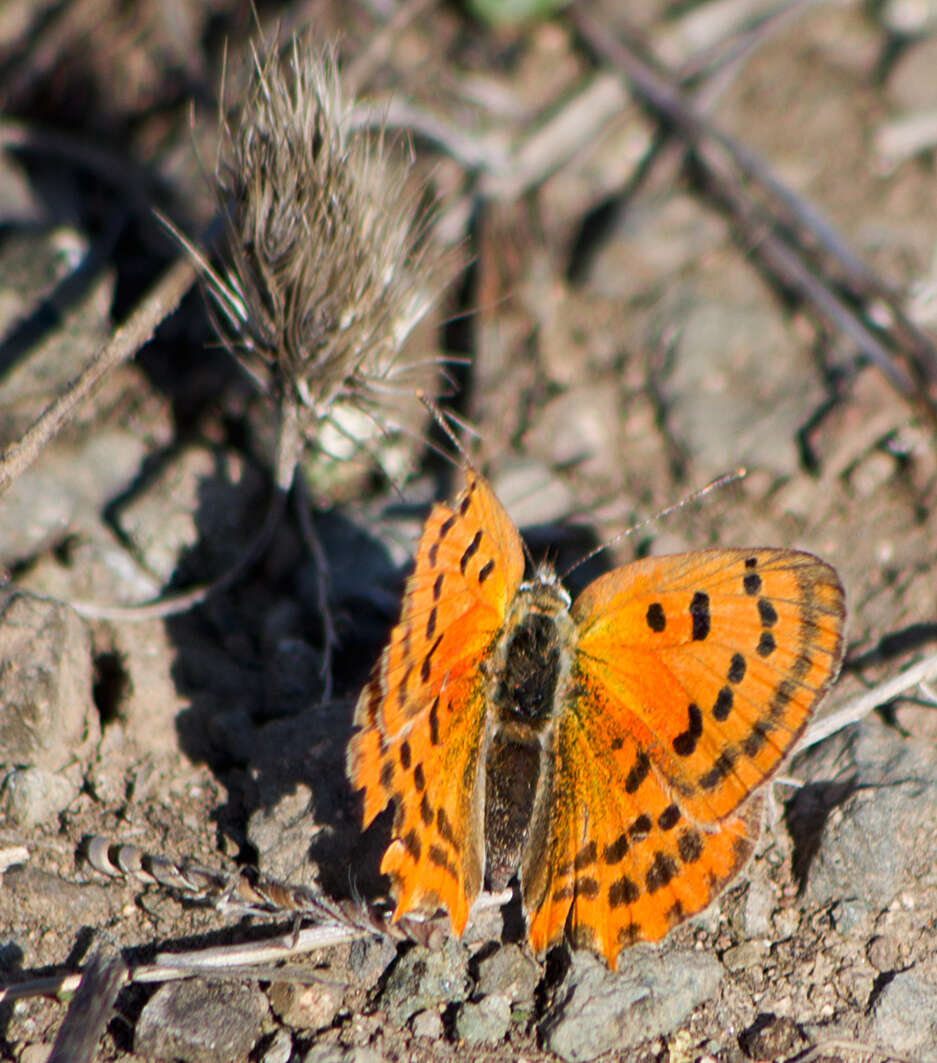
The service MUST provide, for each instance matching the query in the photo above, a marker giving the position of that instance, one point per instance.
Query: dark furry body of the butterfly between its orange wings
(529, 672)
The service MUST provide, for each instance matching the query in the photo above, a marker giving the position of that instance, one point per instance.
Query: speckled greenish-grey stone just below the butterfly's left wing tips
(425, 978)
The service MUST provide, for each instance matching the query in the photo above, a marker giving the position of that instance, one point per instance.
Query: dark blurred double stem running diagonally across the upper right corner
(724, 162)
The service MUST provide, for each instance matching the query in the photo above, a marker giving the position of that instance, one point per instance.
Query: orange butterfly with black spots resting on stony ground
(607, 751)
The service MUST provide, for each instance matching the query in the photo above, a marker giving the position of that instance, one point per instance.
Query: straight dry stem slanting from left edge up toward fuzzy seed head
(123, 346)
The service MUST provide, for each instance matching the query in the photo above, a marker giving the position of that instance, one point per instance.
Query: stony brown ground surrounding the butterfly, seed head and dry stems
(623, 341)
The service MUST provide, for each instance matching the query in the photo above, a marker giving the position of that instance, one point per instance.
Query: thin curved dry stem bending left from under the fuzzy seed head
(289, 449)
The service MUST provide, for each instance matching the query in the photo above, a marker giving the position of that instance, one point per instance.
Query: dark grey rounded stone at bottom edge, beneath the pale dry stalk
(202, 1022)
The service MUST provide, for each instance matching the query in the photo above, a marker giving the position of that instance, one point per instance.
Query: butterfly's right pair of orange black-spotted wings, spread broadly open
(692, 679)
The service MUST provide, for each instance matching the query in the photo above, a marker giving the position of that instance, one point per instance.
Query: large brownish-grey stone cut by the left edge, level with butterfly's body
(47, 715)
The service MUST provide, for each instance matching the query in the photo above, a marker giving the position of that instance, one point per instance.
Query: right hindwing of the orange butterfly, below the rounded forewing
(623, 864)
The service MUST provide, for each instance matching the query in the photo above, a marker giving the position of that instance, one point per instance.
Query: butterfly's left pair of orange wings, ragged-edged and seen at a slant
(423, 717)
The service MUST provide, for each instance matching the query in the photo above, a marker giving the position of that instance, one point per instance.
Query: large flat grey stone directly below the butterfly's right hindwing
(597, 1010)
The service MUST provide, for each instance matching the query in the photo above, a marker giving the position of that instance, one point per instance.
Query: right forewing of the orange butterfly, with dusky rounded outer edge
(720, 657)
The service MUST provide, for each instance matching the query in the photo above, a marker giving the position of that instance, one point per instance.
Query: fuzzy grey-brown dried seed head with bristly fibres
(330, 264)
